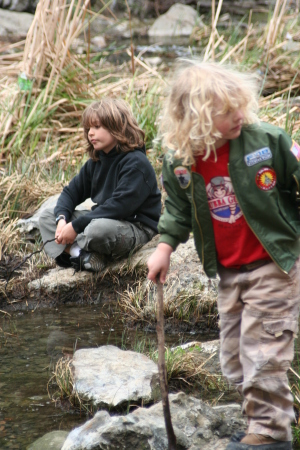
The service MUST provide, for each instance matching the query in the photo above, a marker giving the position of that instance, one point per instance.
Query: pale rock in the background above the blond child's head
(179, 20)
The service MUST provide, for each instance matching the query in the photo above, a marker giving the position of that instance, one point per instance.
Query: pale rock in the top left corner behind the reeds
(14, 24)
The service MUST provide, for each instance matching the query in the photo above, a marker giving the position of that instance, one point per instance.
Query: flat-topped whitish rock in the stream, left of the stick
(112, 377)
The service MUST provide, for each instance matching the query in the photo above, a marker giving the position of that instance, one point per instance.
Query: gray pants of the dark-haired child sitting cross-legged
(113, 238)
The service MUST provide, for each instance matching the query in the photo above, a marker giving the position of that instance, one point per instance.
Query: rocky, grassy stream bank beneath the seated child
(123, 282)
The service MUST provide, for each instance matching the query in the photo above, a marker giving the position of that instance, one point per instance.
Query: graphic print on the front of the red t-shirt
(222, 201)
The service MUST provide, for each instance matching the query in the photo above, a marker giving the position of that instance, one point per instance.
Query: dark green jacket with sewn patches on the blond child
(272, 214)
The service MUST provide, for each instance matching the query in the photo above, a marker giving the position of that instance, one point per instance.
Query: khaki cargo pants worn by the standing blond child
(259, 320)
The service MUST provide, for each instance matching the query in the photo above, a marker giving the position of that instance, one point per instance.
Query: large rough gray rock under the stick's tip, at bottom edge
(196, 426)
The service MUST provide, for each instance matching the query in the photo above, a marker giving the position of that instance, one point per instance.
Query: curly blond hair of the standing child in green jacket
(199, 92)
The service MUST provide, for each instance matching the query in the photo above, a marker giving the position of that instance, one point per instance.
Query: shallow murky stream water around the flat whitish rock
(30, 345)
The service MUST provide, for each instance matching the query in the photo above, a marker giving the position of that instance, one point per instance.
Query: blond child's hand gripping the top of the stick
(159, 262)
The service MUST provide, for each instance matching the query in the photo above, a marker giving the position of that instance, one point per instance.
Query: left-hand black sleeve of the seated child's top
(78, 190)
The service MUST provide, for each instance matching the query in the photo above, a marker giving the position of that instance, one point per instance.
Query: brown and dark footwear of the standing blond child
(258, 442)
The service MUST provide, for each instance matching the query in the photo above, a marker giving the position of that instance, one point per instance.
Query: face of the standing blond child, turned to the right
(229, 125)
